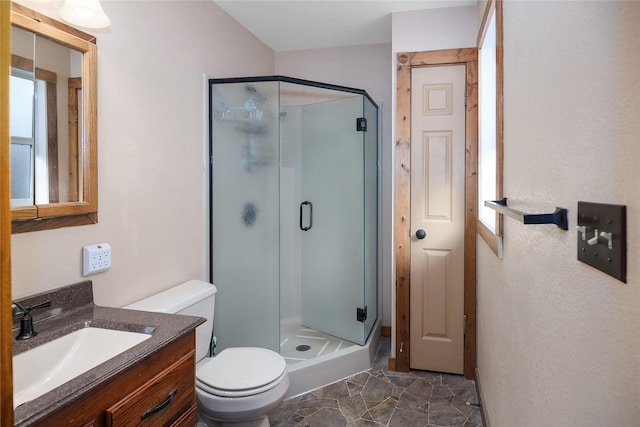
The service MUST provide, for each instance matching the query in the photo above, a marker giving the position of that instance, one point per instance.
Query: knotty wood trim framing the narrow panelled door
(406, 61)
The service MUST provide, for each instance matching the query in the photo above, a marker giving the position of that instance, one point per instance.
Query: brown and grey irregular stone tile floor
(380, 397)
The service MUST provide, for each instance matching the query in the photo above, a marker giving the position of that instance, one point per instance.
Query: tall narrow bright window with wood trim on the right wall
(490, 65)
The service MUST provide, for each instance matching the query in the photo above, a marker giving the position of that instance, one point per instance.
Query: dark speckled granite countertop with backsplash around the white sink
(72, 308)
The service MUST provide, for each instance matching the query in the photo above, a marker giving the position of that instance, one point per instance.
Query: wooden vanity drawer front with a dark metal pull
(160, 400)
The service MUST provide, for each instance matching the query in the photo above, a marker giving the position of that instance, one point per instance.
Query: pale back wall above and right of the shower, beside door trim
(362, 67)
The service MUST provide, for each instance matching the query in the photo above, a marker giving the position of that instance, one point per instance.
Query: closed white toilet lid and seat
(241, 370)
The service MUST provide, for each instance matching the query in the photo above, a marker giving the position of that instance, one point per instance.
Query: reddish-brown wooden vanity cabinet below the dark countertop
(161, 386)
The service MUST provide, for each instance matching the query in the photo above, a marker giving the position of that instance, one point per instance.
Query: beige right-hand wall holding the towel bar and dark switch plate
(558, 342)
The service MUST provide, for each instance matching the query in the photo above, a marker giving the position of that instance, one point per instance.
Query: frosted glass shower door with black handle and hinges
(332, 218)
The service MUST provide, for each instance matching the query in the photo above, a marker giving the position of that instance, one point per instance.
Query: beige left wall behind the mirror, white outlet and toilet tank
(152, 129)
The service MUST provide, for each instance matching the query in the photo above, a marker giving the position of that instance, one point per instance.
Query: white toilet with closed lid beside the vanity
(240, 385)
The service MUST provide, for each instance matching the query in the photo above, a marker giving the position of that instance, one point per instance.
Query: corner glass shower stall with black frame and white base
(294, 219)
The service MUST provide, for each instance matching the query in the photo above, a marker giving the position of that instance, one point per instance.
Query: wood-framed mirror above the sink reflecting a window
(52, 123)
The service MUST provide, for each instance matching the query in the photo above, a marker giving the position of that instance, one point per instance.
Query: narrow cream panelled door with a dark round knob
(437, 218)
